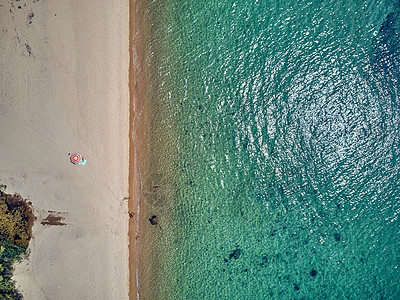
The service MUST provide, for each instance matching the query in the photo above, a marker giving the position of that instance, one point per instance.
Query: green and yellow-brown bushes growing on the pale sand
(16, 220)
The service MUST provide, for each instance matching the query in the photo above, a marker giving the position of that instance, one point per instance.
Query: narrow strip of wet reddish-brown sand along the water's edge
(137, 88)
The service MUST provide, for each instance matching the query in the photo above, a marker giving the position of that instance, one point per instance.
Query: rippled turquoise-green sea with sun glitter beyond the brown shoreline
(285, 183)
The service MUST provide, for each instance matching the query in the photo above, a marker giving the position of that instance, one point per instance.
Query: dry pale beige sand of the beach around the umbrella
(70, 93)
